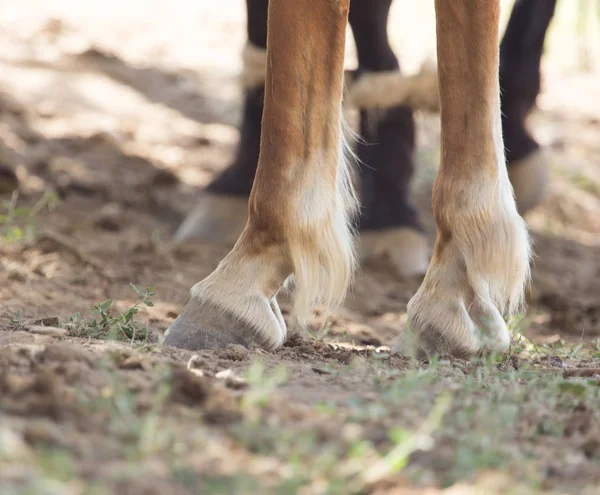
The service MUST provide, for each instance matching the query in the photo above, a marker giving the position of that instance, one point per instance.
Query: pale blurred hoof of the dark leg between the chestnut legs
(405, 249)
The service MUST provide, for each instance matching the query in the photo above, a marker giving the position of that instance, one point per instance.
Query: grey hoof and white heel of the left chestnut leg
(205, 325)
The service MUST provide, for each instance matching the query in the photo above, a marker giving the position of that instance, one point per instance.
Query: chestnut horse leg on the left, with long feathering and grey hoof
(302, 198)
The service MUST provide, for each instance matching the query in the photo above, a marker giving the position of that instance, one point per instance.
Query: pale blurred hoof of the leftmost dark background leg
(215, 218)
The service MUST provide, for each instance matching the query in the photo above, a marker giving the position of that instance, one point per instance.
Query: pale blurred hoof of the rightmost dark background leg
(529, 178)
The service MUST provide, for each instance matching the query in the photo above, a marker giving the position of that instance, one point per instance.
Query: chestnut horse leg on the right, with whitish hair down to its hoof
(480, 262)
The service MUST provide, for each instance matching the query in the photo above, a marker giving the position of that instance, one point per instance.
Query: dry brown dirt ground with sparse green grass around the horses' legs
(112, 118)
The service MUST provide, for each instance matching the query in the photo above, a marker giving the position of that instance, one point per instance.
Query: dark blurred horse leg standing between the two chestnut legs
(389, 224)
